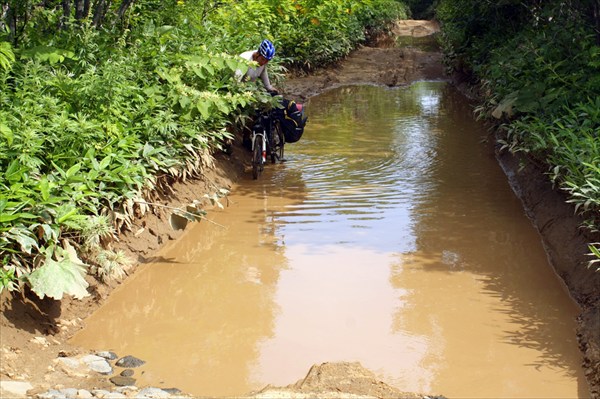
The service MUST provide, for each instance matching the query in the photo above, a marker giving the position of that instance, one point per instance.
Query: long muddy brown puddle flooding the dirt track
(389, 237)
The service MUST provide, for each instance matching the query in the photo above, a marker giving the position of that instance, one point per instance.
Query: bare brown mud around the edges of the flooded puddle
(34, 333)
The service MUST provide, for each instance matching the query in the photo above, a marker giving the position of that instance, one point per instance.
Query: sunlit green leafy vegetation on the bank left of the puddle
(103, 105)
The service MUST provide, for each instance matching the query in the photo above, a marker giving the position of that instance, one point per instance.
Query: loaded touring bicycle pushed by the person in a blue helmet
(267, 140)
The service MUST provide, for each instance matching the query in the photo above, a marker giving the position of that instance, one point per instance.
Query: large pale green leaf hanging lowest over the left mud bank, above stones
(58, 277)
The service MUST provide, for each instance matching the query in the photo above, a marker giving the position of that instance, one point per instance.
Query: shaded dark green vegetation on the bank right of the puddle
(538, 63)
